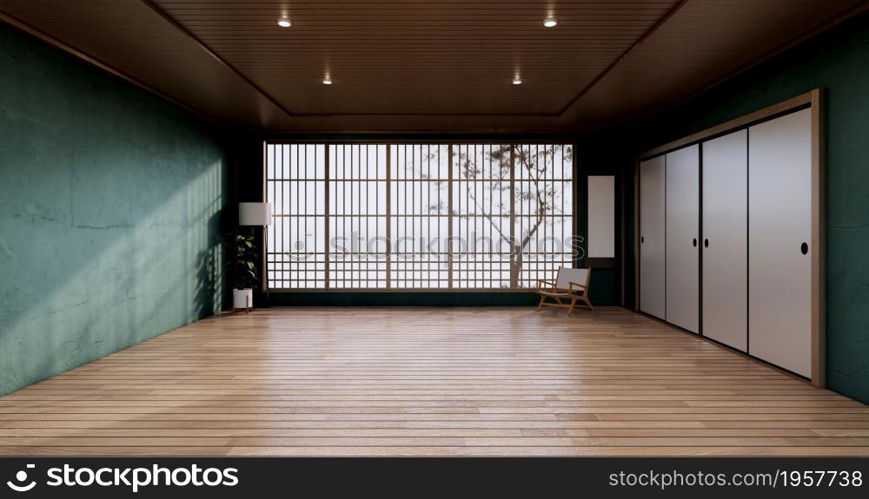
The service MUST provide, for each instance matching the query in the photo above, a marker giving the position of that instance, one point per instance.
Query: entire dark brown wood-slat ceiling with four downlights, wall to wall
(425, 65)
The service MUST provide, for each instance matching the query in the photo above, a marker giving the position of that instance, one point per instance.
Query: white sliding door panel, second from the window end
(683, 238)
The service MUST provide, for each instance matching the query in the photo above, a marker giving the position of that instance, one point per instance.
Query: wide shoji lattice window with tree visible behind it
(445, 216)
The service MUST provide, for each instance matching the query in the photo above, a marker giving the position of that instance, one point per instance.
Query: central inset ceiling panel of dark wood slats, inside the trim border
(419, 56)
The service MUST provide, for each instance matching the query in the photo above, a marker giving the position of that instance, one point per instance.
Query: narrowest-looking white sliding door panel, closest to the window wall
(652, 237)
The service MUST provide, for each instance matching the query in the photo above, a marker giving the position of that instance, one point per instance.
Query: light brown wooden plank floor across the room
(429, 382)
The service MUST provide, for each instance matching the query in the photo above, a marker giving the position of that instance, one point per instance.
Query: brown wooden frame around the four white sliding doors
(810, 100)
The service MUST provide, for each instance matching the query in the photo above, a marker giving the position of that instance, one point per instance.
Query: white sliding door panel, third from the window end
(725, 231)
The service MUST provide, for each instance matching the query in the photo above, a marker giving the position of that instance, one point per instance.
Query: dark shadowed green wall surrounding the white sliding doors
(838, 62)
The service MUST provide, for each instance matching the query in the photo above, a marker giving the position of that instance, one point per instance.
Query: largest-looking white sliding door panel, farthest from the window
(780, 236)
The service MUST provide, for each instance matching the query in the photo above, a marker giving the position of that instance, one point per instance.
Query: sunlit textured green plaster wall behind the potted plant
(109, 205)
